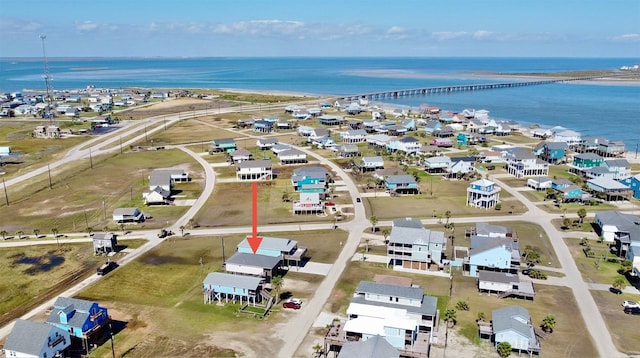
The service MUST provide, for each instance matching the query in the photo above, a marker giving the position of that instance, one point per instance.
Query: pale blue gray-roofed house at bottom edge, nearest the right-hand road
(513, 324)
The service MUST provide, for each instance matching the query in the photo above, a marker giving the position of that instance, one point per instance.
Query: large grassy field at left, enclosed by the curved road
(75, 200)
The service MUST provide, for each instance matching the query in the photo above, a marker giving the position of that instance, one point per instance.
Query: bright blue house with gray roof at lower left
(78, 317)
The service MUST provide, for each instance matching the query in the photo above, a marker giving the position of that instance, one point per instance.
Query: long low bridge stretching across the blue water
(459, 88)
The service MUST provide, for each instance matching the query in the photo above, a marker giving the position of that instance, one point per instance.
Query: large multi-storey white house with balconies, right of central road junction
(412, 246)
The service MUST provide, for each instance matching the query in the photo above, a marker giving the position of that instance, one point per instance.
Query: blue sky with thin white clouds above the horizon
(328, 28)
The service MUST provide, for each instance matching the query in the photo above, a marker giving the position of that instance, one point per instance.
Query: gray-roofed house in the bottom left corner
(36, 339)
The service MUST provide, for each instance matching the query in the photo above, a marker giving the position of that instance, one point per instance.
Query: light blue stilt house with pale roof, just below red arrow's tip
(225, 287)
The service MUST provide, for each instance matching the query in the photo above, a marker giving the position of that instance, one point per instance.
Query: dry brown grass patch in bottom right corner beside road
(622, 327)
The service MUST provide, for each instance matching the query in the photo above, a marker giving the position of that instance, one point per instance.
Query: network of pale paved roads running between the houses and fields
(299, 325)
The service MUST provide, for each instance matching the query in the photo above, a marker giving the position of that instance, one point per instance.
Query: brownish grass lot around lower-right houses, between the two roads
(570, 338)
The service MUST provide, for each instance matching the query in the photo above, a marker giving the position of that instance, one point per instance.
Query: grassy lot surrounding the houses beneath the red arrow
(164, 286)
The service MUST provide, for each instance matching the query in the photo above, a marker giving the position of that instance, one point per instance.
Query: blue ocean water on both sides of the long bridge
(612, 111)
